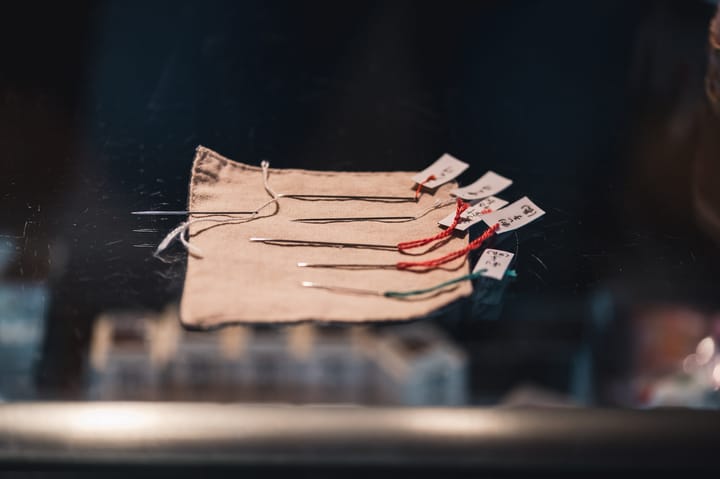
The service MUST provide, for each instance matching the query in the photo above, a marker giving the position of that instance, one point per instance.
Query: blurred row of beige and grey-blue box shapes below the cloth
(139, 356)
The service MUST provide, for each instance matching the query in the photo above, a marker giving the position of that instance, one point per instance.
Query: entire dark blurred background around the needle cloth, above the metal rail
(602, 111)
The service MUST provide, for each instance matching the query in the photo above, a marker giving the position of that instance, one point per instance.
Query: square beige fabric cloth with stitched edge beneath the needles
(240, 281)
